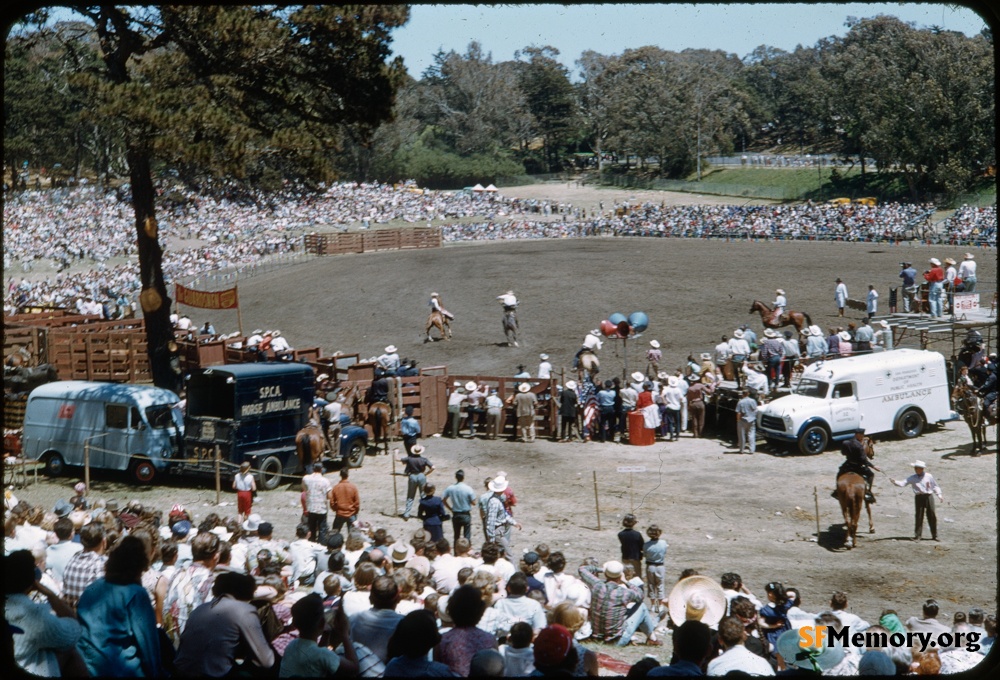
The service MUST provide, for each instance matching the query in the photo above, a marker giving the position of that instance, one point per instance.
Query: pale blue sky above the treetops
(611, 29)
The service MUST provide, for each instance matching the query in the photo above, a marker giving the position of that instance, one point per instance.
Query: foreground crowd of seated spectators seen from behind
(97, 588)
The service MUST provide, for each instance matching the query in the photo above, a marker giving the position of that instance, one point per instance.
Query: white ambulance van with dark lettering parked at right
(898, 391)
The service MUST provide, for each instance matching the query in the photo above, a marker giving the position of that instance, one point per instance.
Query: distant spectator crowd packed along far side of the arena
(87, 233)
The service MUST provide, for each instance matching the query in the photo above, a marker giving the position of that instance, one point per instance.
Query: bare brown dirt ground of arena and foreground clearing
(755, 515)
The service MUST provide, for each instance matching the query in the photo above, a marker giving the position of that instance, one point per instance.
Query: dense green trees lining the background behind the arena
(920, 102)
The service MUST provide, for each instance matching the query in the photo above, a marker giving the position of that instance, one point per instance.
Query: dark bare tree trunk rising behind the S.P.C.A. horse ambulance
(154, 300)
